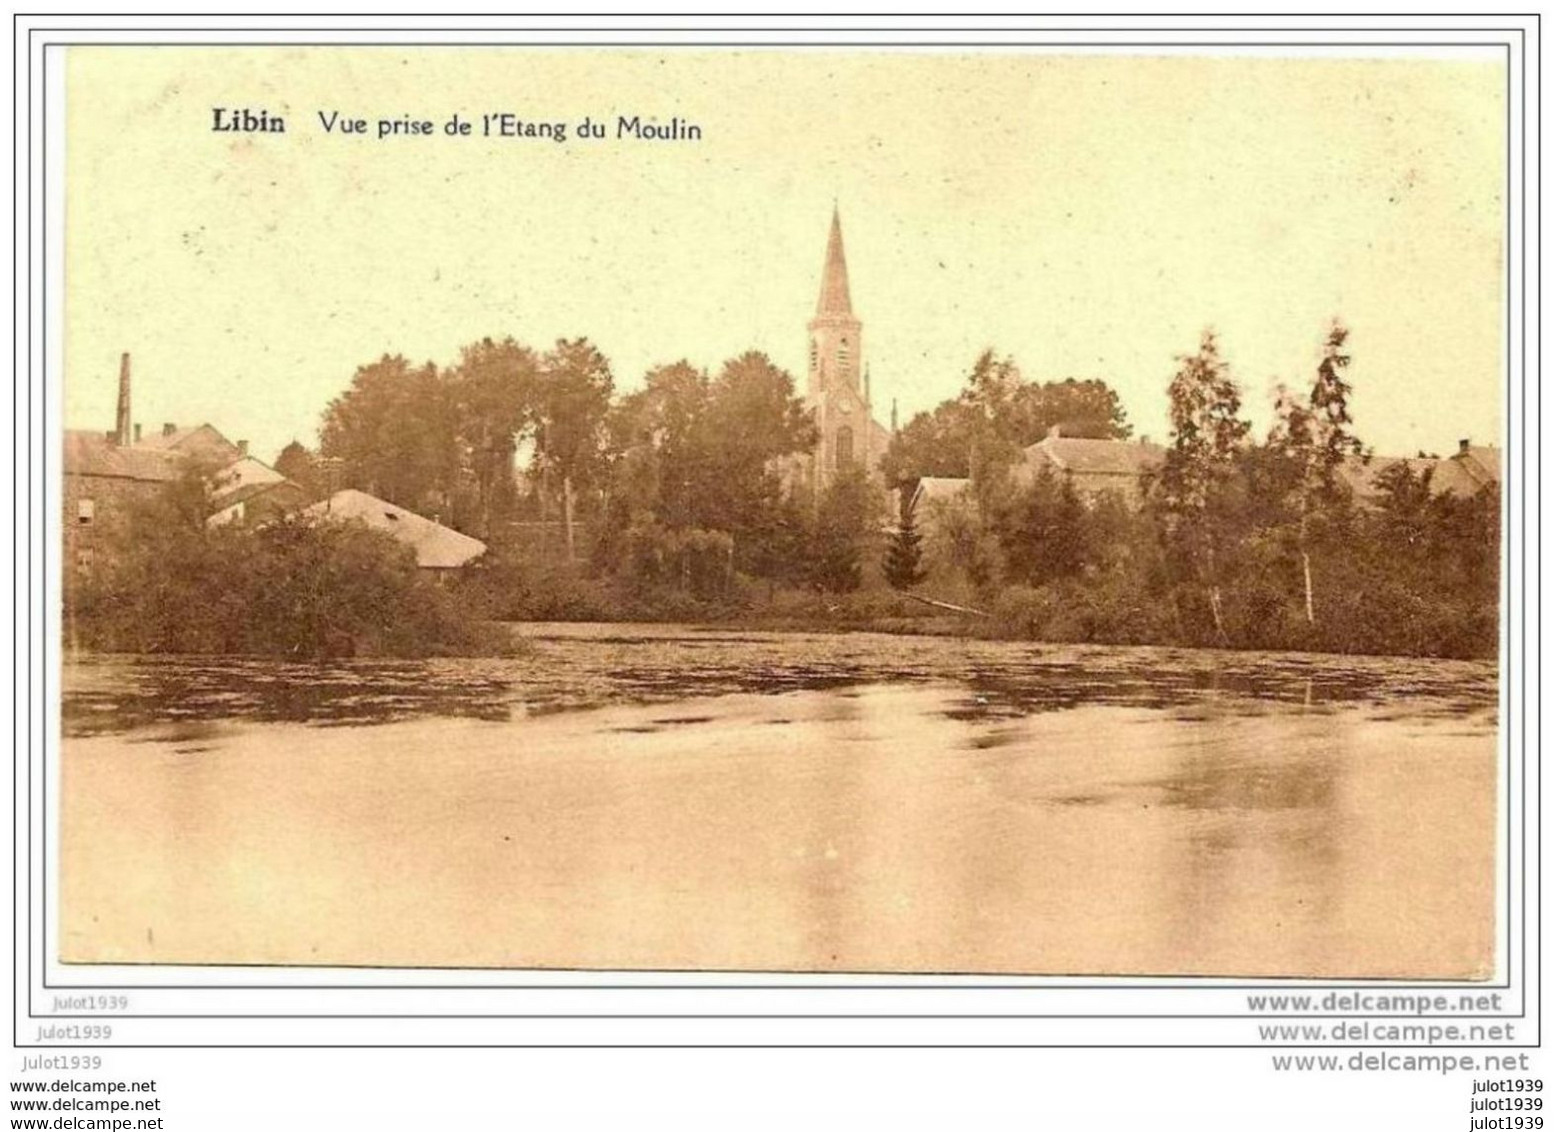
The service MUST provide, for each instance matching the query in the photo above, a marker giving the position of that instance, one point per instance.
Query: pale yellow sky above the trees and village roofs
(1085, 215)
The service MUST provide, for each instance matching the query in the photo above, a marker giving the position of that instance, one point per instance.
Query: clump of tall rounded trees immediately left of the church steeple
(688, 483)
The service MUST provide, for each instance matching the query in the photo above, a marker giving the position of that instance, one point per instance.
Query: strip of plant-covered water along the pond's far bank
(587, 666)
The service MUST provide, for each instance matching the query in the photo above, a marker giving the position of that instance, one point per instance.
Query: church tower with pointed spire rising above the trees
(838, 391)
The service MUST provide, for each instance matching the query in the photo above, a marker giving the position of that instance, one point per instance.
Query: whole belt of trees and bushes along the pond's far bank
(689, 498)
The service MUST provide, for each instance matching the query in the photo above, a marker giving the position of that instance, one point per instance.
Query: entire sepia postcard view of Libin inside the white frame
(831, 511)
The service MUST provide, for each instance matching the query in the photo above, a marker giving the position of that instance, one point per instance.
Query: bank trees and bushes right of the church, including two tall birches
(1233, 542)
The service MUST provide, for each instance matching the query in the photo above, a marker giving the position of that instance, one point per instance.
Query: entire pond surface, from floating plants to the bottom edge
(787, 803)
